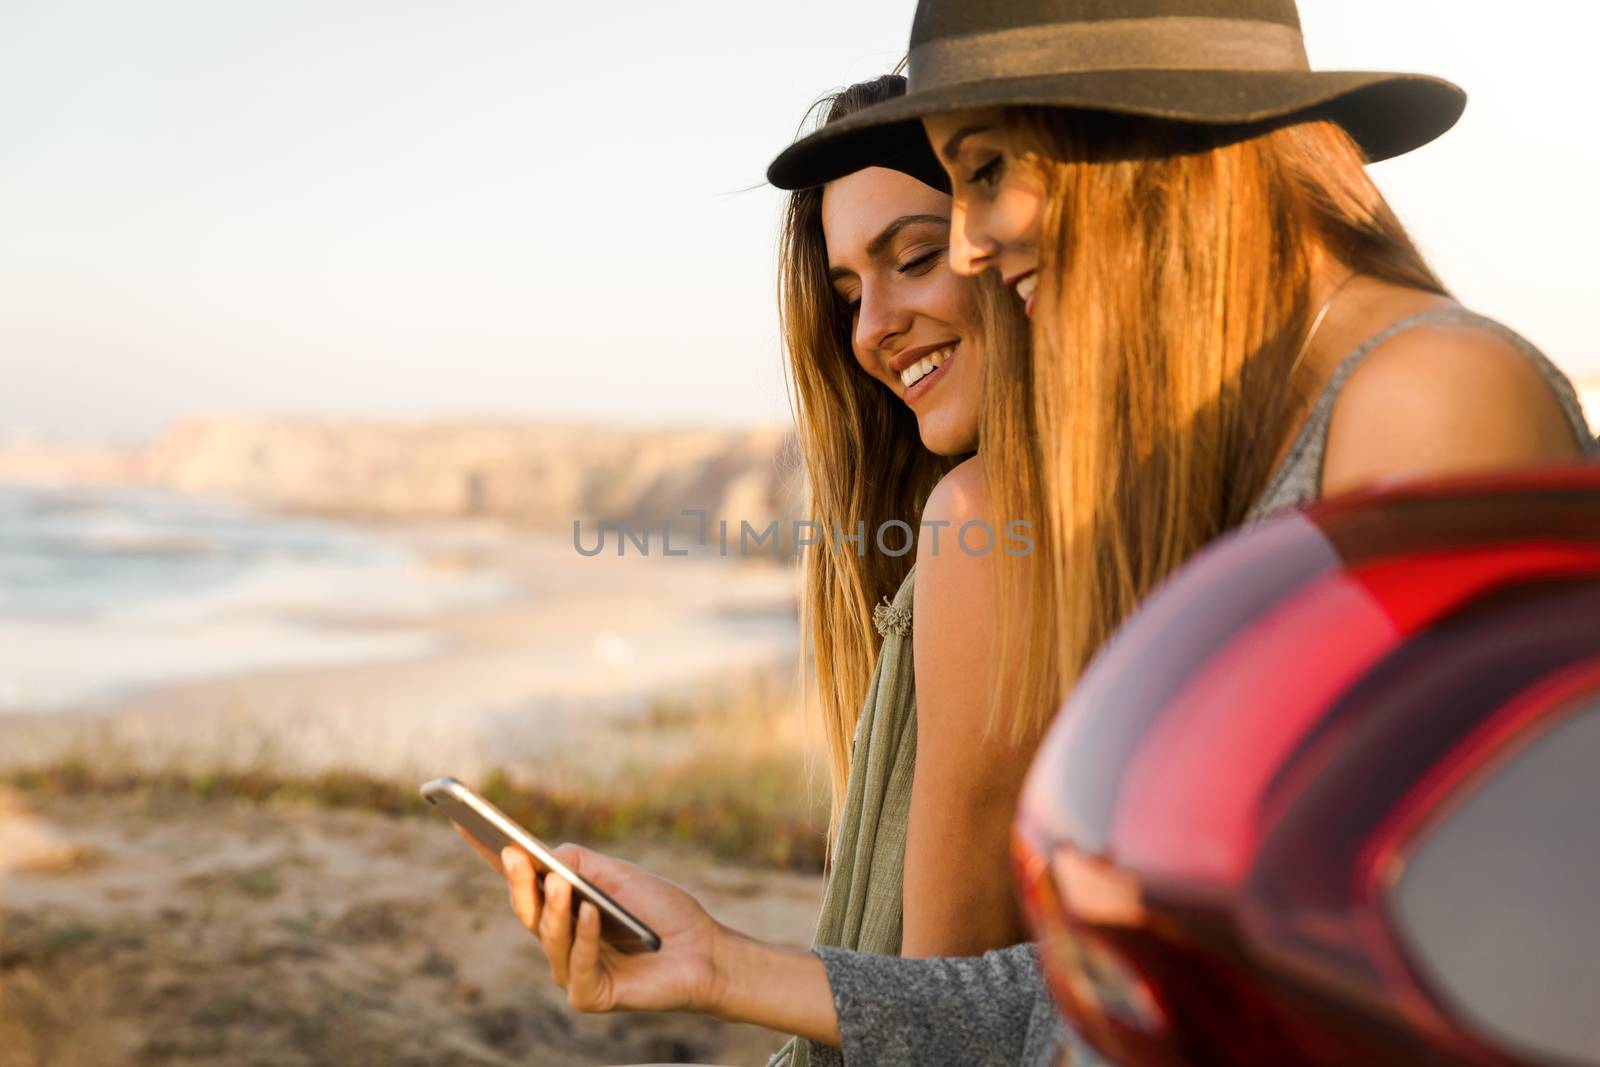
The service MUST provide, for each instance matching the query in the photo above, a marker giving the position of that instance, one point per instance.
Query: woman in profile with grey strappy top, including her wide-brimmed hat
(1230, 321)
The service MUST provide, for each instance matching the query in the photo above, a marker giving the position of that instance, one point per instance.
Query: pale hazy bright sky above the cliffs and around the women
(407, 209)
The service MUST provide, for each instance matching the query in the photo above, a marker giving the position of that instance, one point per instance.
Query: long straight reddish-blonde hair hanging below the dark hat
(1148, 423)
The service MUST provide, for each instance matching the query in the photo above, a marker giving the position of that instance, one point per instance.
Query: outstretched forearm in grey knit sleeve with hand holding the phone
(881, 1010)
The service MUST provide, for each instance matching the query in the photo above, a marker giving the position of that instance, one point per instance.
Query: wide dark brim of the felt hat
(1388, 114)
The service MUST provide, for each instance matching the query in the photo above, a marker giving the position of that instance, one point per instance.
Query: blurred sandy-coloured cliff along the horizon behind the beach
(543, 476)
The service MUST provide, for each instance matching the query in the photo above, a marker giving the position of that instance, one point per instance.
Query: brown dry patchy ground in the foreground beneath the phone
(140, 930)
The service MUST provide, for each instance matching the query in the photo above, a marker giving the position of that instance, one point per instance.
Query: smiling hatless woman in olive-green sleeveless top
(887, 359)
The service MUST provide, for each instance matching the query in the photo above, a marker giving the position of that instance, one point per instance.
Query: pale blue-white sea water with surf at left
(110, 591)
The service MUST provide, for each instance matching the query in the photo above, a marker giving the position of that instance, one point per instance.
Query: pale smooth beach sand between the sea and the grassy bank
(534, 684)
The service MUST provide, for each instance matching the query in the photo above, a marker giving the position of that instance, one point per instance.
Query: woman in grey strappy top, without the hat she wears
(1265, 334)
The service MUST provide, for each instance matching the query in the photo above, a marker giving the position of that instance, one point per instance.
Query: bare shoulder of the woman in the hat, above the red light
(1442, 401)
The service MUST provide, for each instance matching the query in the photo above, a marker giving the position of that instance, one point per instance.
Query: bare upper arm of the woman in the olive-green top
(959, 898)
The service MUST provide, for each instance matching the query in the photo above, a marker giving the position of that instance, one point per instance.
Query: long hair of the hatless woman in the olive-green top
(863, 457)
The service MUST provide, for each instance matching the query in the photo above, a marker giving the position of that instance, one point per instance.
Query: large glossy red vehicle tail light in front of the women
(1249, 836)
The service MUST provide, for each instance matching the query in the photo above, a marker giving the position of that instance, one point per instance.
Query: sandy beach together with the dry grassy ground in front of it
(161, 913)
